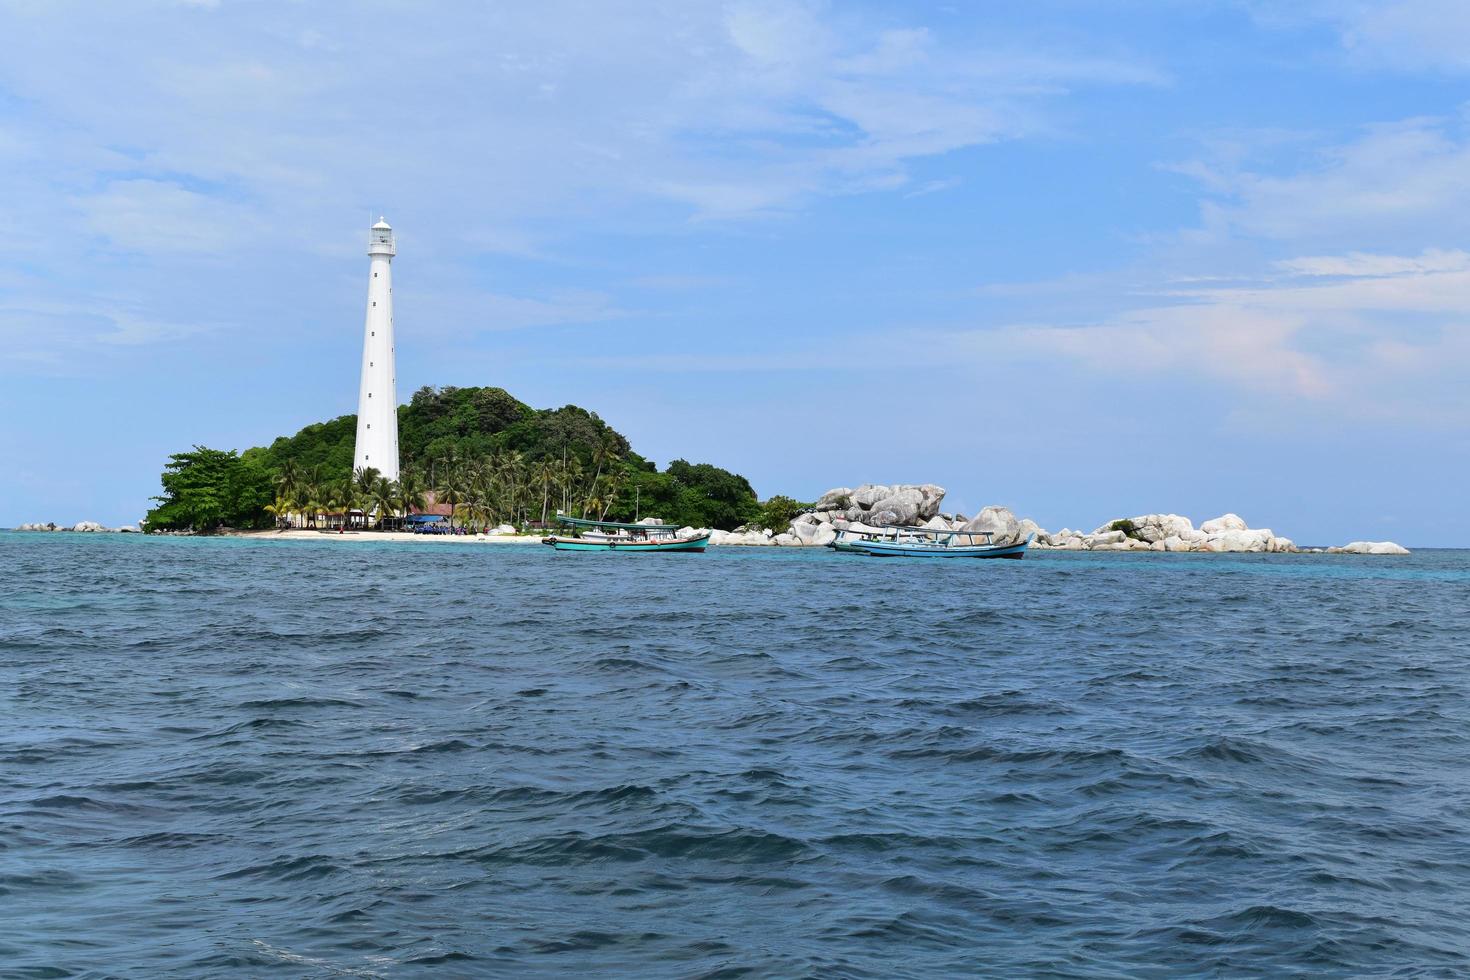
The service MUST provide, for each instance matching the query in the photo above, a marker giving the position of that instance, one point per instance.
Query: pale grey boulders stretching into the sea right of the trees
(874, 506)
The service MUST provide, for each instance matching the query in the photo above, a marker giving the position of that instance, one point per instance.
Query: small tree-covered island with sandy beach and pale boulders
(480, 464)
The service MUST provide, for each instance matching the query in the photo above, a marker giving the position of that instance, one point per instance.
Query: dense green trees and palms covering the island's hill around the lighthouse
(492, 458)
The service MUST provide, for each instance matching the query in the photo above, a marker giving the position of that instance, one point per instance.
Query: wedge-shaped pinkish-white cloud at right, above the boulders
(1371, 336)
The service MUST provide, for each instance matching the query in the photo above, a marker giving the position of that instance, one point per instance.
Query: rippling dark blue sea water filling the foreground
(323, 759)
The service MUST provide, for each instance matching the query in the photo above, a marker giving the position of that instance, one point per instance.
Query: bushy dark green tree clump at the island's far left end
(208, 489)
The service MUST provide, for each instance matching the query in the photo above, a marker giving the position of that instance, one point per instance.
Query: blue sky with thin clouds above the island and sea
(1083, 259)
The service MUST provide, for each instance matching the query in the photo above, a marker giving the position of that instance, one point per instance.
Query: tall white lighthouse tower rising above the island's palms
(379, 396)
